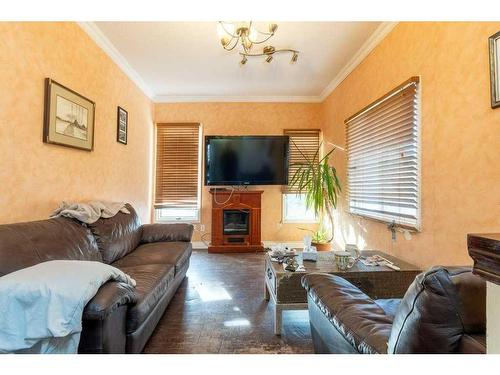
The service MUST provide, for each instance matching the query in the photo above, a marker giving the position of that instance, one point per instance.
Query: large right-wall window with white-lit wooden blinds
(383, 167)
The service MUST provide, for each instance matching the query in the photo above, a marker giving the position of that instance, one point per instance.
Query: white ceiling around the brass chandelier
(184, 61)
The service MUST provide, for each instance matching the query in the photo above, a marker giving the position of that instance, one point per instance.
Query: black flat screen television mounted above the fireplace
(246, 160)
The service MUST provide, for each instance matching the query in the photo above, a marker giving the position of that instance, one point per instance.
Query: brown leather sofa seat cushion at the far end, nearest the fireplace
(175, 253)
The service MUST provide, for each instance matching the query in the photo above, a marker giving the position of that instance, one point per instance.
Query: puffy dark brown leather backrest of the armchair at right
(434, 313)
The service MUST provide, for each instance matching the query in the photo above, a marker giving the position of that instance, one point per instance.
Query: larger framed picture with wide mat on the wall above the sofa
(68, 117)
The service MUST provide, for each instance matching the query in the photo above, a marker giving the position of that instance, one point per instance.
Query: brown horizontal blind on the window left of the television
(177, 165)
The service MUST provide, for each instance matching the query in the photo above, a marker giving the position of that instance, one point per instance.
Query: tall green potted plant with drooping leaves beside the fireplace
(319, 182)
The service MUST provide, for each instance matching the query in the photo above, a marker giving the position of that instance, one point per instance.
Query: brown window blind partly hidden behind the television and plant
(303, 147)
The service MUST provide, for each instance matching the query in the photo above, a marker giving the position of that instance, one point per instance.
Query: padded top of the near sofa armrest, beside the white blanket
(109, 298)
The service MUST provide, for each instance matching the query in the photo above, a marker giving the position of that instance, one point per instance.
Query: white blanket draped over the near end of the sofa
(41, 307)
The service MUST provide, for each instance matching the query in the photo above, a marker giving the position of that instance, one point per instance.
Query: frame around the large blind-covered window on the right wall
(417, 227)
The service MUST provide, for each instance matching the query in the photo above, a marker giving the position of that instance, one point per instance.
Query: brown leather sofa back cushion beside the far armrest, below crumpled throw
(118, 235)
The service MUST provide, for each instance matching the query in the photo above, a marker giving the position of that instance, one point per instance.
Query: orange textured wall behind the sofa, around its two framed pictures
(34, 176)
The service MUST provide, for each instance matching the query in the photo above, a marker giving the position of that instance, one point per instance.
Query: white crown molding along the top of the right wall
(373, 41)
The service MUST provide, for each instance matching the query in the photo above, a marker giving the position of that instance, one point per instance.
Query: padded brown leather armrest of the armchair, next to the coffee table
(360, 321)
